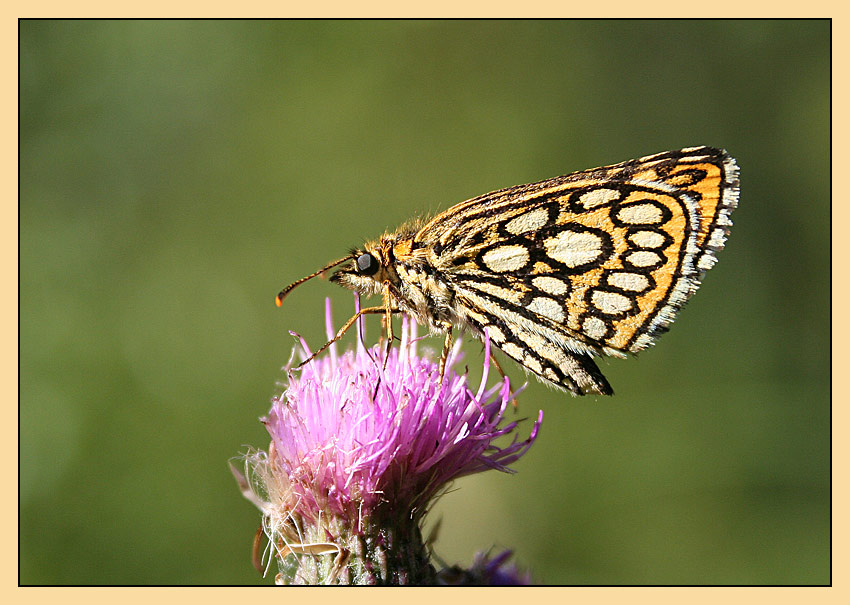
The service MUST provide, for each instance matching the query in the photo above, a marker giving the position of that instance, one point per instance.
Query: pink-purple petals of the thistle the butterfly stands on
(340, 451)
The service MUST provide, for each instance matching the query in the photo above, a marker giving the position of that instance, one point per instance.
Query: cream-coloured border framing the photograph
(478, 8)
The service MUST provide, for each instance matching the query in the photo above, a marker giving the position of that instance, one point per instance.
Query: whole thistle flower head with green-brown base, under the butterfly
(359, 449)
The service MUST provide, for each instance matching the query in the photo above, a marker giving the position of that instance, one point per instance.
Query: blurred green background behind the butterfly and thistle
(174, 175)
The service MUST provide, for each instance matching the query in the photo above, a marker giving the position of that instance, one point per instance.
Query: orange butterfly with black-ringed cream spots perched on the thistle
(557, 272)
